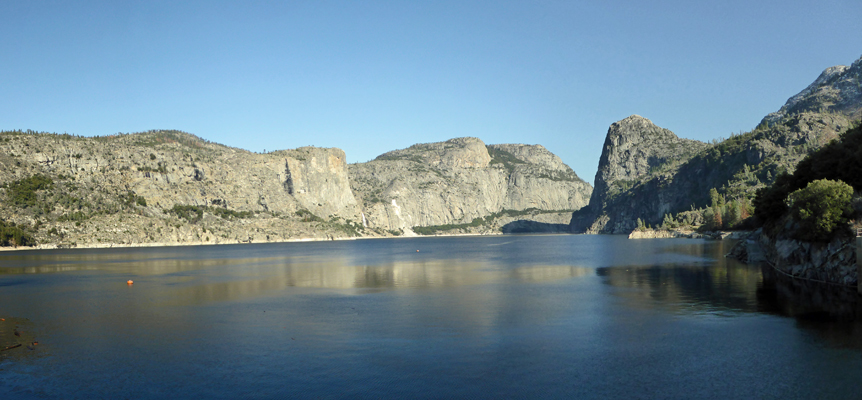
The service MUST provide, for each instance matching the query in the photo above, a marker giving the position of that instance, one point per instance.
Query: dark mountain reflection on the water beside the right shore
(727, 287)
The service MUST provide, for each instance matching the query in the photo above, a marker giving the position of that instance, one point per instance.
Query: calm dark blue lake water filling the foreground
(479, 317)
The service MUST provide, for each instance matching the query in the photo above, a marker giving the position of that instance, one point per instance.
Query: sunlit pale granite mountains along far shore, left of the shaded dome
(170, 187)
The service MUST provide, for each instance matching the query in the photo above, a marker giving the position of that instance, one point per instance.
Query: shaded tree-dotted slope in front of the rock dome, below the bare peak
(737, 167)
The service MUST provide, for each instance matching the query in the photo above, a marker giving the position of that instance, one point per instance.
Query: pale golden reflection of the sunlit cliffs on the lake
(195, 275)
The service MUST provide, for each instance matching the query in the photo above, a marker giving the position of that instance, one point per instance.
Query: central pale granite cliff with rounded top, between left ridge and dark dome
(457, 181)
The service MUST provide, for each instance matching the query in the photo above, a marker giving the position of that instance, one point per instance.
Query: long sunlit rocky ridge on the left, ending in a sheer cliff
(122, 190)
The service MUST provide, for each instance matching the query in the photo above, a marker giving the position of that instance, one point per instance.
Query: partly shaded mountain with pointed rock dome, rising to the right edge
(646, 172)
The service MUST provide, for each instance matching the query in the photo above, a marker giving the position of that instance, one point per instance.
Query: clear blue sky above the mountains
(374, 76)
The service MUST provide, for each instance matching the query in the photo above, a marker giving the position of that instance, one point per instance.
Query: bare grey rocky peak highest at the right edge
(837, 89)
